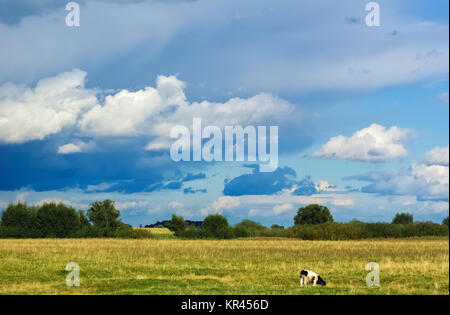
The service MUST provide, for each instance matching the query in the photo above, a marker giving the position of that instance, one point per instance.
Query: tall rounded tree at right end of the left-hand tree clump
(103, 214)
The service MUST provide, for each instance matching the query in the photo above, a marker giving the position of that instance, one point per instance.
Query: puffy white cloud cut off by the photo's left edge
(35, 113)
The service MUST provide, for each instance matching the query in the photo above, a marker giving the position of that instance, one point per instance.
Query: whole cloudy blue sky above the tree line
(362, 112)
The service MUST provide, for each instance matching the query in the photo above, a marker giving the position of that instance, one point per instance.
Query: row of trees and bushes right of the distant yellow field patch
(313, 222)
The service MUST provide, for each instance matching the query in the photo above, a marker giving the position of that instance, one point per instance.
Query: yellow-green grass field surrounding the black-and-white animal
(242, 266)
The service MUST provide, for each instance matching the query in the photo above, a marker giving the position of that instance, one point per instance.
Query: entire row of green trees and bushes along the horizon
(102, 219)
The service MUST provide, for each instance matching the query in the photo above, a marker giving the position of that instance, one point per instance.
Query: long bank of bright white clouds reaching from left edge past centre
(63, 101)
